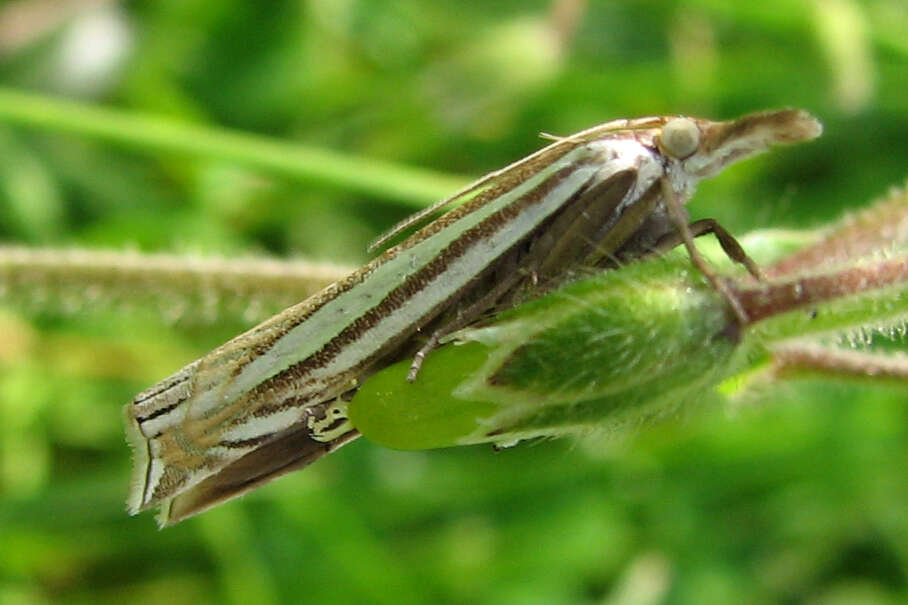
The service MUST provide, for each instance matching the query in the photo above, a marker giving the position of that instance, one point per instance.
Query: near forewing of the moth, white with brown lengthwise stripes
(232, 401)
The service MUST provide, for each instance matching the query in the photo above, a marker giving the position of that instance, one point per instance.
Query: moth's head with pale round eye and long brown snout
(718, 144)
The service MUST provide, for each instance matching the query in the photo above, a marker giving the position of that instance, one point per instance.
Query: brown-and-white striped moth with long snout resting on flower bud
(272, 400)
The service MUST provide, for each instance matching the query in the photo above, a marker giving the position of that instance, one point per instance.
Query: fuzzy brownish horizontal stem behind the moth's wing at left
(183, 288)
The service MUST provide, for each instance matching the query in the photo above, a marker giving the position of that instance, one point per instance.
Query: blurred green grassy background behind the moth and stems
(803, 499)
